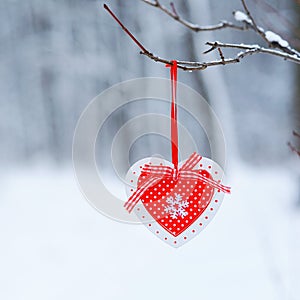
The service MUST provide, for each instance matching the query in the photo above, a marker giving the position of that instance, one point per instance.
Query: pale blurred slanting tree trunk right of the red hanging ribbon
(211, 83)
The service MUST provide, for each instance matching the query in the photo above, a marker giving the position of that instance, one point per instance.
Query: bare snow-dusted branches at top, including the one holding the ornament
(276, 45)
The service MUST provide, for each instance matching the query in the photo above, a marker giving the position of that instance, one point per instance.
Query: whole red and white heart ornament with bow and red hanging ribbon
(175, 201)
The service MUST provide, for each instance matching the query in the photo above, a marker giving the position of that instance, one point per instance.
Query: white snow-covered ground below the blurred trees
(54, 245)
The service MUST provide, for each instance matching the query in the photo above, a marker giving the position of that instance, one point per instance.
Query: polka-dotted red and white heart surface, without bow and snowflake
(176, 232)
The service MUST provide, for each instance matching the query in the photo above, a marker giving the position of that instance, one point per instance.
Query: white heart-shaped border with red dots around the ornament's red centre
(199, 224)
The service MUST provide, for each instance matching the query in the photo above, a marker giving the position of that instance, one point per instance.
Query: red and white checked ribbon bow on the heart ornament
(154, 174)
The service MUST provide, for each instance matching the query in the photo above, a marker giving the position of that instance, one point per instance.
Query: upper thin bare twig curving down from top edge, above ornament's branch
(173, 14)
